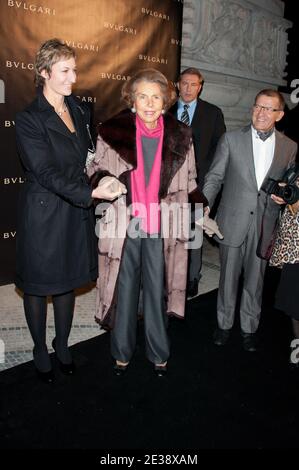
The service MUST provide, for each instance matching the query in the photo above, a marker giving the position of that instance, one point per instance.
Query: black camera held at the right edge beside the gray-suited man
(290, 191)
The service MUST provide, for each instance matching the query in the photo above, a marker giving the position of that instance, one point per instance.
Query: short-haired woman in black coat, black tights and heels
(56, 247)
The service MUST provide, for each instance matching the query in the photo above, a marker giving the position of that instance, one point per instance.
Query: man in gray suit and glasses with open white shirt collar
(244, 160)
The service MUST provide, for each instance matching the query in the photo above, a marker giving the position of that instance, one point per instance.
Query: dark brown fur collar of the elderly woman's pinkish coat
(119, 133)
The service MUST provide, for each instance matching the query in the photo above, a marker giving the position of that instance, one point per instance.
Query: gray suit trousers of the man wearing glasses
(232, 261)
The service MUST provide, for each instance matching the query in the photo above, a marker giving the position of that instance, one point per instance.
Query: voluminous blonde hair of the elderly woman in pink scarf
(151, 76)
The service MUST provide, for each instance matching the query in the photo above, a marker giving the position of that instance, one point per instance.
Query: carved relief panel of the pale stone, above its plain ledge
(231, 34)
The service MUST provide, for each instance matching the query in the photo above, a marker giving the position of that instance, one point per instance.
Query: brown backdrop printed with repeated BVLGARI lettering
(112, 38)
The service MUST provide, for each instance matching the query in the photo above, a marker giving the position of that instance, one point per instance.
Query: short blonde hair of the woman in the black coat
(49, 53)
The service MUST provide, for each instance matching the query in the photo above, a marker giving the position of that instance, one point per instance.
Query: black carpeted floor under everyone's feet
(213, 397)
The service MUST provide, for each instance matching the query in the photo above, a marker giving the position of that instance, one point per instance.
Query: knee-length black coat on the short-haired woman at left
(56, 243)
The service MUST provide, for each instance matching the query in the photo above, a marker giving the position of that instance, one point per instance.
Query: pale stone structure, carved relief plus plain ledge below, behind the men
(239, 46)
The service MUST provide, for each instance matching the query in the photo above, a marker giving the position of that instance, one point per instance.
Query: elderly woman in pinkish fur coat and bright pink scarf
(152, 155)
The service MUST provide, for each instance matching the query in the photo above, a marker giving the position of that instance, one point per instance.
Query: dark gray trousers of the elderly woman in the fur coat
(143, 259)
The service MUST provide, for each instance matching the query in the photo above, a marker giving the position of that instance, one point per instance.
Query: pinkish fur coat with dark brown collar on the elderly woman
(116, 155)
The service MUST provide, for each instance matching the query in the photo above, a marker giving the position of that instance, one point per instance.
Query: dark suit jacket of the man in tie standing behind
(207, 128)
